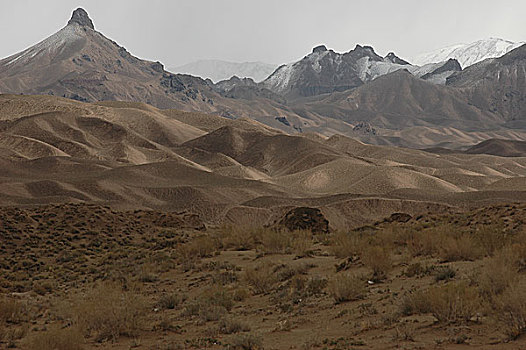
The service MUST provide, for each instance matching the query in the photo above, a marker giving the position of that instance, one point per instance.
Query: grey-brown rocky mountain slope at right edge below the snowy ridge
(497, 86)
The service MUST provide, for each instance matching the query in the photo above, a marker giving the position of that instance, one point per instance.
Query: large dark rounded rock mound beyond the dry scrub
(305, 218)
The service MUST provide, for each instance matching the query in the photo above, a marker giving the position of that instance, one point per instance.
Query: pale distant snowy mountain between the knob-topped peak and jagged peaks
(217, 70)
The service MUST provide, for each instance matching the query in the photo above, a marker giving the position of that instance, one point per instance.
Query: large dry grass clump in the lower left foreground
(107, 312)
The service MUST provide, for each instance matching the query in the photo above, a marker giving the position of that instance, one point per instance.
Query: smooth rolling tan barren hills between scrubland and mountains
(131, 155)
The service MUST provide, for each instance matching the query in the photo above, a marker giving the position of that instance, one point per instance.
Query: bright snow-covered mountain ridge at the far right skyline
(468, 54)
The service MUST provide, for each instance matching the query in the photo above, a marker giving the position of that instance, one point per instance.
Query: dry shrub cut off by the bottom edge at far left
(56, 339)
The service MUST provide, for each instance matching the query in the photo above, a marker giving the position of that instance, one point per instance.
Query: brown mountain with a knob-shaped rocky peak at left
(80, 63)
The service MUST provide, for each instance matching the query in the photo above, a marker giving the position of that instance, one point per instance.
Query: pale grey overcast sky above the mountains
(275, 31)
